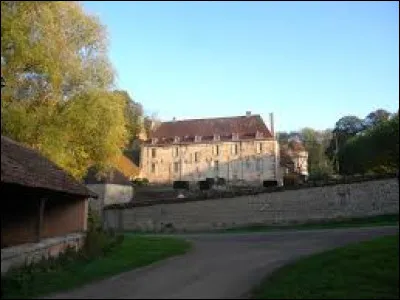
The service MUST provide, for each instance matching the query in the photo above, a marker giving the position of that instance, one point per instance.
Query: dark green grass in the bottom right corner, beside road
(367, 270)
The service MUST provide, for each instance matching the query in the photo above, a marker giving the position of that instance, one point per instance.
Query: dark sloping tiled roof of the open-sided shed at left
(27, 167)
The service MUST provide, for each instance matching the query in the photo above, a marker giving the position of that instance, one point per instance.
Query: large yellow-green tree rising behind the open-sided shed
(58, 98)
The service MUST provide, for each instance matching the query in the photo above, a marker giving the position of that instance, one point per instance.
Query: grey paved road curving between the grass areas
(221, 266)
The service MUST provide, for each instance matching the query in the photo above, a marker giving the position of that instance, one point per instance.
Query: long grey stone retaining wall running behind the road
(361, 199)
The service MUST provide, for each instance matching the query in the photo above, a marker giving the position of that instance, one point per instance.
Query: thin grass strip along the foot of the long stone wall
(383, 220)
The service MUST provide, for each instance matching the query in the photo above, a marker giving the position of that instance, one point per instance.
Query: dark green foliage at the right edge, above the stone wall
(376, 150)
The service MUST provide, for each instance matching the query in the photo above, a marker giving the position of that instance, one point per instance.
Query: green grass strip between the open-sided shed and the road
(132, 253)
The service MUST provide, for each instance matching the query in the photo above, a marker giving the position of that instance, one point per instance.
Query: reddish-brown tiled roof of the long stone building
(244, 126)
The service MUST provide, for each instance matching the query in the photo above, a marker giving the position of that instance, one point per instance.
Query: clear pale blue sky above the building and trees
(309, 63)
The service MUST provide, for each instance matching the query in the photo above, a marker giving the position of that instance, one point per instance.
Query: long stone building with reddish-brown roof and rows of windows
(234, 148)
